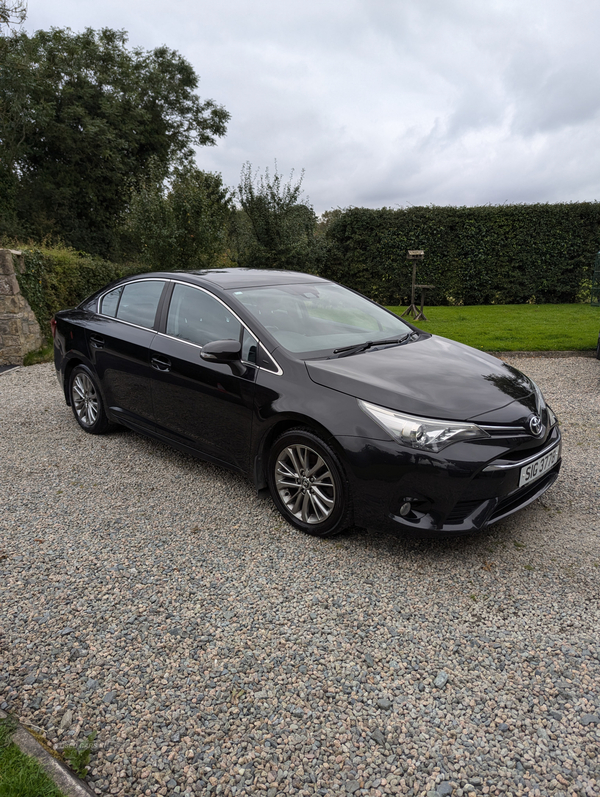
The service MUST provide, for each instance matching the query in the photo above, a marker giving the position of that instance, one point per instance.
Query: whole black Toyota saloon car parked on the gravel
(348, 414)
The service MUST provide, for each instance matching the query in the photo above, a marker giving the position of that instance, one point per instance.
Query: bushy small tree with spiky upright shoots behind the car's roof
(276, 230)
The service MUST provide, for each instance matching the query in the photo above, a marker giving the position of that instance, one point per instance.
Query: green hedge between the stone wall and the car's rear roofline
(56, 278)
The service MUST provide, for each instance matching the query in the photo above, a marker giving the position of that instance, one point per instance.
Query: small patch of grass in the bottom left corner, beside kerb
(20, 775)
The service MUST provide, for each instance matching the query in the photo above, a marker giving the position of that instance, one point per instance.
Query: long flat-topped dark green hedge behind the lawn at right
(509, 254)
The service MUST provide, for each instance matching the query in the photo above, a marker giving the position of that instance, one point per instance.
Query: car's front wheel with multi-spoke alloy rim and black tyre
(308, 484)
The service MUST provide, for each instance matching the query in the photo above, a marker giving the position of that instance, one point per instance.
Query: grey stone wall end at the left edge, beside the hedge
(19, 330)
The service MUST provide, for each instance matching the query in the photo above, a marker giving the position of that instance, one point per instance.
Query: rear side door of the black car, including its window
(119, 340)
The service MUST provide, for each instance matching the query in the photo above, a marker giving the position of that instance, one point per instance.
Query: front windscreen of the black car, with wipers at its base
(314, 319)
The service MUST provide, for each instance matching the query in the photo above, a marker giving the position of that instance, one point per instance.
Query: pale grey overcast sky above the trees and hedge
(386, 102)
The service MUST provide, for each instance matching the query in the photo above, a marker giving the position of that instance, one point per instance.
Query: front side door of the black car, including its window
(206, 406)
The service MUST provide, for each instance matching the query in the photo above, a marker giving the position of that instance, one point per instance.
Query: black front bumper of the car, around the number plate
(474, 485)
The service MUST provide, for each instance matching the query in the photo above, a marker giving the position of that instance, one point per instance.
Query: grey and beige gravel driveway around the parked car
(157, 600)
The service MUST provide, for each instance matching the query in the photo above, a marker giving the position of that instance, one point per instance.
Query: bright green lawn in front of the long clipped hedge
(516, 327)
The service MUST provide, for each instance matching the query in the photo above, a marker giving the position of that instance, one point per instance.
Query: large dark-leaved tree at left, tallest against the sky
(82, 118)
